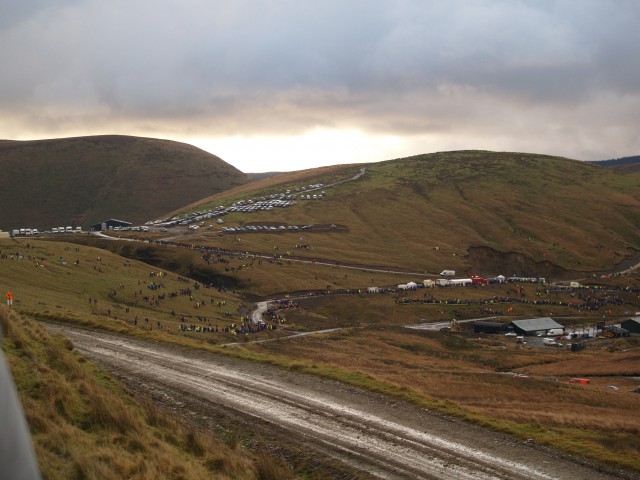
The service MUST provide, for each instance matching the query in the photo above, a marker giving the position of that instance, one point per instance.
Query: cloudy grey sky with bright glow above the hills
(281, 85)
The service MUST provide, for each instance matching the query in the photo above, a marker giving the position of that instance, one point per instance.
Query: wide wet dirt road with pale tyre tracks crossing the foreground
(369, 433)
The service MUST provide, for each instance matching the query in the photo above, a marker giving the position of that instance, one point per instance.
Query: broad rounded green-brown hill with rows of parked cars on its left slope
(429, 212)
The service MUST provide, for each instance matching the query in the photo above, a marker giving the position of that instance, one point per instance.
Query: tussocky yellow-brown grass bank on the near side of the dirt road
(84, 426)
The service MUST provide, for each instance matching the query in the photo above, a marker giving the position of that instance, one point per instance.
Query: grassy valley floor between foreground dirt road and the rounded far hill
(371, 349)
